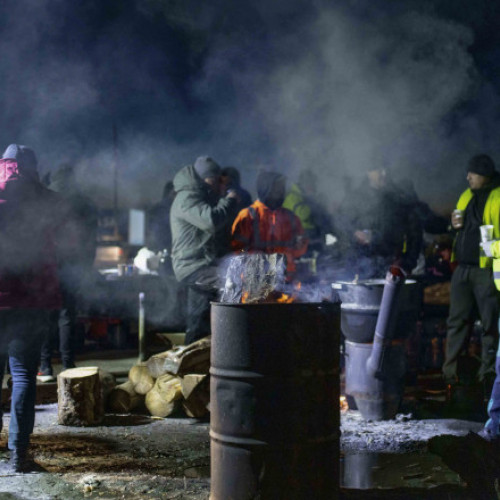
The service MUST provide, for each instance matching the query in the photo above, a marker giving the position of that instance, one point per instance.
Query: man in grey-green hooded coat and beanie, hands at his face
(196, 217)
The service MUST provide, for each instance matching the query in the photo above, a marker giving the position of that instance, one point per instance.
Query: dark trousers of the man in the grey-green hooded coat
(202, 289)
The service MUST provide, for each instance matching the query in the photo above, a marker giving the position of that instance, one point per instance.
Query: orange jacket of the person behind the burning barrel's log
(258, 228)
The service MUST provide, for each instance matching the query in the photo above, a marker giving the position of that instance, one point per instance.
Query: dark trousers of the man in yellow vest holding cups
(471, 285)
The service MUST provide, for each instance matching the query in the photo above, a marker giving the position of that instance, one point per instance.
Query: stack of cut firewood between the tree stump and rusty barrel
(174, 379)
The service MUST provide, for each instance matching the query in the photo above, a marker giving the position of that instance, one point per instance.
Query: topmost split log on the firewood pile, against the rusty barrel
(181, 360)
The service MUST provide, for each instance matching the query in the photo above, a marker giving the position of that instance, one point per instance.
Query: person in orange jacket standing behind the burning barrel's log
(265, 226)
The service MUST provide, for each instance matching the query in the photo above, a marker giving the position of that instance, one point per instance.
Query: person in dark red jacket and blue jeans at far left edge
(29, 287)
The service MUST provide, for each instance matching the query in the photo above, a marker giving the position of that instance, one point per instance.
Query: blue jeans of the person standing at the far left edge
(21, 334)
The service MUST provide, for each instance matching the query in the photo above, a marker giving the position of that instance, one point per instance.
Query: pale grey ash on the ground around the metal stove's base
(402, 434)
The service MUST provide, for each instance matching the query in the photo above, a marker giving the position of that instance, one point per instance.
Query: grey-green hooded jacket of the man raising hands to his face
(195, 217)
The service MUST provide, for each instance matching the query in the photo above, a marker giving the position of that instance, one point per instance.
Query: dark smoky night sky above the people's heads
(412, 85)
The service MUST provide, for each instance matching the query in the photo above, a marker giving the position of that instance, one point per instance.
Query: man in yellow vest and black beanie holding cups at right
(472, 281)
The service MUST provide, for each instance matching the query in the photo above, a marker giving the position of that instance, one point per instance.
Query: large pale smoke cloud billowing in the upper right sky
(348, 93)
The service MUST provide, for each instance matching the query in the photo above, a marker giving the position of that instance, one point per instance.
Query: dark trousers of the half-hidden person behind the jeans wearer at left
(61, 328)
